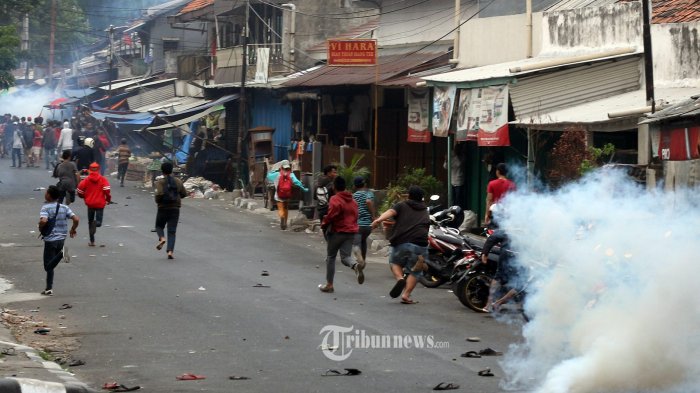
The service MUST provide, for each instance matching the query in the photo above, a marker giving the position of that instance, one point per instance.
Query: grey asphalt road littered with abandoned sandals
(143, 320)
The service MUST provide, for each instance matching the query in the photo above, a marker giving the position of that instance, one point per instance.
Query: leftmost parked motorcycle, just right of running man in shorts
(446, 246)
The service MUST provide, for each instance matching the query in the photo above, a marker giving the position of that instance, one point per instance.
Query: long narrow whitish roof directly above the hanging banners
(502, 70)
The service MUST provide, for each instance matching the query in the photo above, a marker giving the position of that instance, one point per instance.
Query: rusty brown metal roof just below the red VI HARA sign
(388, 67)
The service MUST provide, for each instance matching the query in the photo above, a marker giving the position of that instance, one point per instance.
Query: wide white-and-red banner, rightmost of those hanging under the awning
(483, 116)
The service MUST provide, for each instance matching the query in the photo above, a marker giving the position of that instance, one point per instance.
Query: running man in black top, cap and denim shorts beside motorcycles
(409, 242)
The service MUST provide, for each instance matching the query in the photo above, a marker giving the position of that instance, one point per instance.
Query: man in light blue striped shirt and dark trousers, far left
(53, 242)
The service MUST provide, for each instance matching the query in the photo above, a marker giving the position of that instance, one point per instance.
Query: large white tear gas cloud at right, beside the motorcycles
(614, 302)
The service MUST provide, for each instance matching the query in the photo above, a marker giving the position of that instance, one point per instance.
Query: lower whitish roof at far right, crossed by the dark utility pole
(596, 112)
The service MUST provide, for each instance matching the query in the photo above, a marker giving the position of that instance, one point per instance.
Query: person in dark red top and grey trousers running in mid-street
(341, 226)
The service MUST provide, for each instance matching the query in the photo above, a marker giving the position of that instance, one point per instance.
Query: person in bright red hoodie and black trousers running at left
(95, 190)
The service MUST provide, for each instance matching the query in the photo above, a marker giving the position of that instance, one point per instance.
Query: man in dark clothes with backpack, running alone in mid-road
(169, 194)
